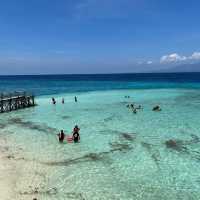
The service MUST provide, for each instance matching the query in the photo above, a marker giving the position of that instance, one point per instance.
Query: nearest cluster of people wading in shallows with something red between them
(74, 138)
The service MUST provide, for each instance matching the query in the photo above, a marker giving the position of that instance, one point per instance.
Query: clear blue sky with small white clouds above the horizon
(97, 36)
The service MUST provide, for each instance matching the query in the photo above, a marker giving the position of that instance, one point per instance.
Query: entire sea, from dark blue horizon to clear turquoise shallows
(121, 155)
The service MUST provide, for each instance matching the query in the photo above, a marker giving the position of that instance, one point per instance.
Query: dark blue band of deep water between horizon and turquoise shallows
(55, 84)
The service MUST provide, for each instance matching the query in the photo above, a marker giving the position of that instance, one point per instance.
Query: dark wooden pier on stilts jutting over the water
(16, 100)
